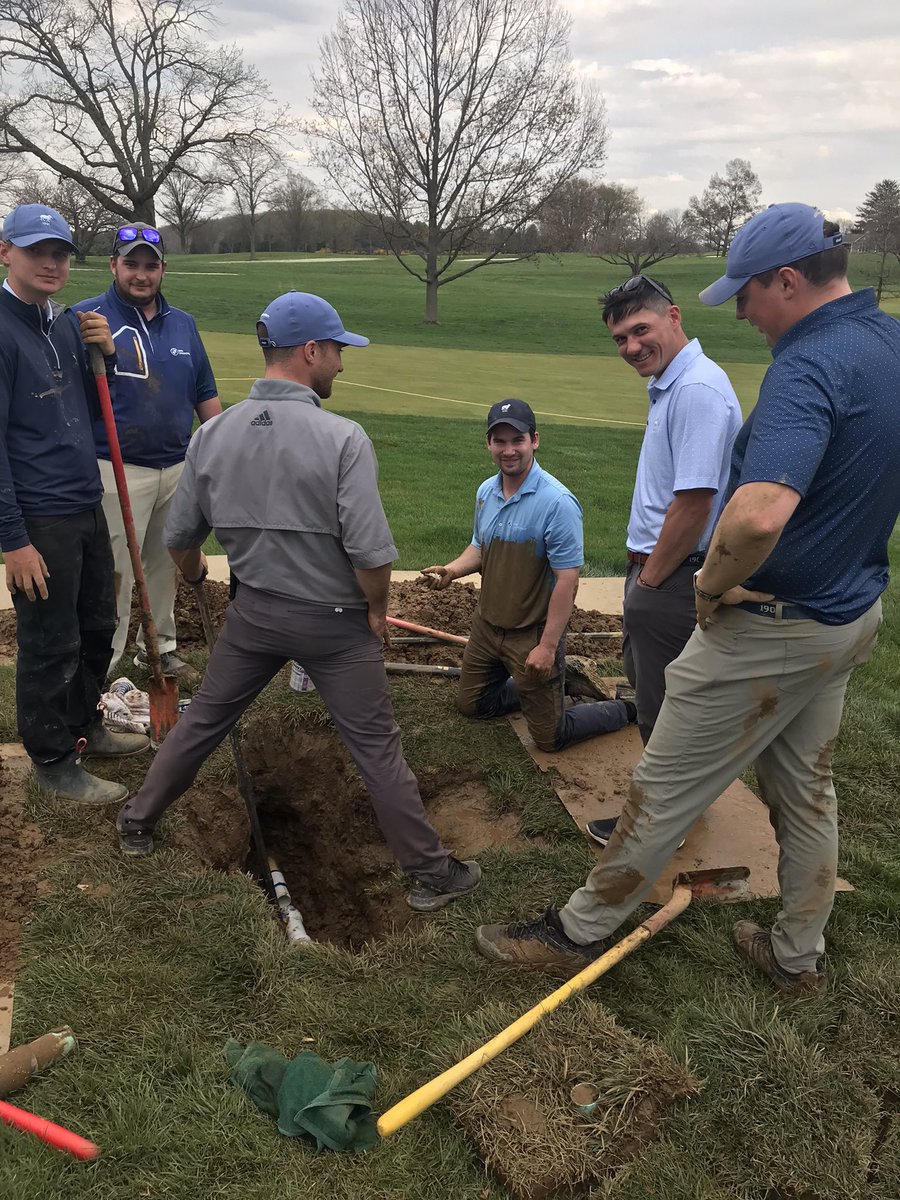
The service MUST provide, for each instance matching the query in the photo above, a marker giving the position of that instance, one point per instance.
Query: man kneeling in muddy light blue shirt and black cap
(529, 547)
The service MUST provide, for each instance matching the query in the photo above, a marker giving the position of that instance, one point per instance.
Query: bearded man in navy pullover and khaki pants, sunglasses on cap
(164, 377)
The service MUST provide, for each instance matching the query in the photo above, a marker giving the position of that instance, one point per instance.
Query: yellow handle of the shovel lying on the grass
(424, 1097)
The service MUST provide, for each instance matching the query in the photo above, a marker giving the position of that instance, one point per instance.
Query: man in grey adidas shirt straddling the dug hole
(292, 493)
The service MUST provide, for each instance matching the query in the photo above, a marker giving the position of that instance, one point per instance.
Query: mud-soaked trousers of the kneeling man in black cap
(494, 682)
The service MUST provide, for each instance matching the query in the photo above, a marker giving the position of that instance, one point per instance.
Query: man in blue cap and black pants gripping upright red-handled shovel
(53, 533)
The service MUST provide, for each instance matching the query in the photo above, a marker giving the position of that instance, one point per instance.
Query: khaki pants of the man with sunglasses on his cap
(151, 493)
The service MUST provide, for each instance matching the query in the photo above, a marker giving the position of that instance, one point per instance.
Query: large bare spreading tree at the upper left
(117, 95)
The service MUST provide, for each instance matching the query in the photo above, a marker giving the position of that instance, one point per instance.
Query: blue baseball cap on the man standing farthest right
(781, 235)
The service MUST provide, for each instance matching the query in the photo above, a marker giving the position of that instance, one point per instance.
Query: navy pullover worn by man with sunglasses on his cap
(163, 375)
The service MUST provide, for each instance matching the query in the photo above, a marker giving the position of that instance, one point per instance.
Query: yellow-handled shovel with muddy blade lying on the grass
(725, 885)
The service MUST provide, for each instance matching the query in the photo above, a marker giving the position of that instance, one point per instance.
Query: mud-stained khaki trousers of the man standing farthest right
(749, 689)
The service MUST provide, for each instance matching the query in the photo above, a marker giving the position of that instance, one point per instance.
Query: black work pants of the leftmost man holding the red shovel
(65, 643)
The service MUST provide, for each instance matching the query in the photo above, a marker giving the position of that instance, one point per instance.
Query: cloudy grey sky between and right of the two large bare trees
(808, 91)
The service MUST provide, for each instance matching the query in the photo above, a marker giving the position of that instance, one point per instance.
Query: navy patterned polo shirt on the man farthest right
(829, 425)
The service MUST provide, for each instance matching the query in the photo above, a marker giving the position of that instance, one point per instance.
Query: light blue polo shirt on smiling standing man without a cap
(692, 427)
